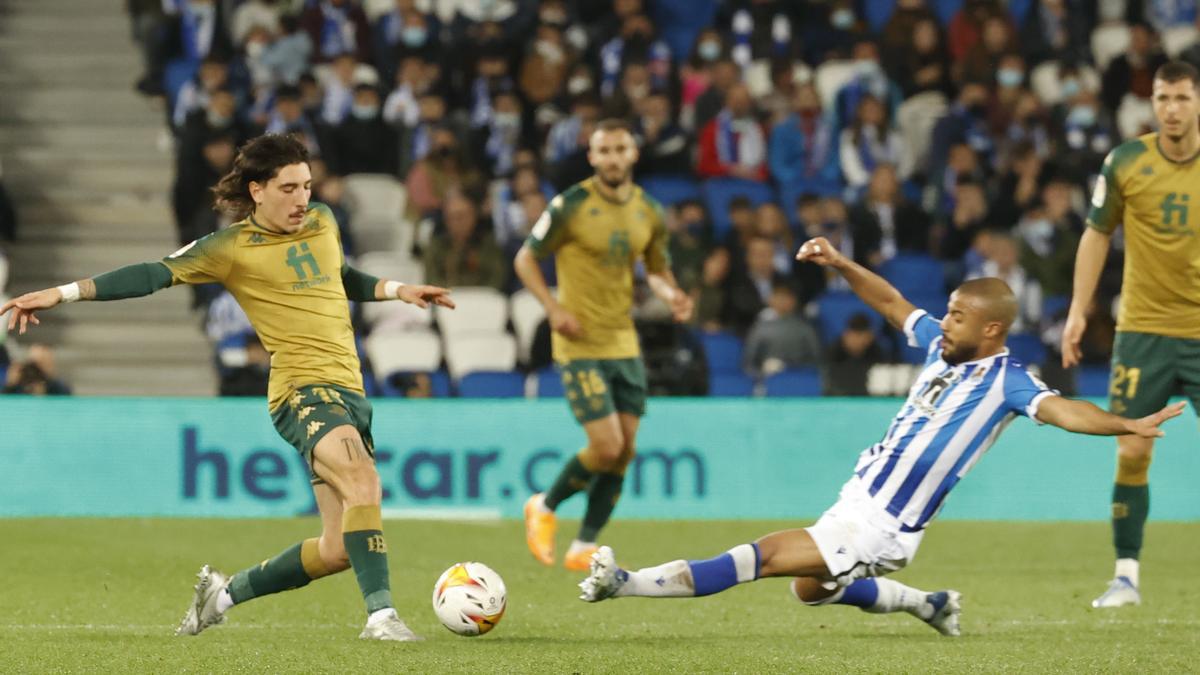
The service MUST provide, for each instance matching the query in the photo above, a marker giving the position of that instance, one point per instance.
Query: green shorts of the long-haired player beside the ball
(314, 411)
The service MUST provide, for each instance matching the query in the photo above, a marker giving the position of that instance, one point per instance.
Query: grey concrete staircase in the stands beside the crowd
(82, 159)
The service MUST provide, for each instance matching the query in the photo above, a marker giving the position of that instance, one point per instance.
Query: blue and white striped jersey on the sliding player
(953, 415)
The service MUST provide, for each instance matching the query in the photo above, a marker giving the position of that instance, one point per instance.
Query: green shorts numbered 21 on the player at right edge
(1150, 369)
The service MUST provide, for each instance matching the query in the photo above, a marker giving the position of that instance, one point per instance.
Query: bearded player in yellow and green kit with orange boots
(597, 231)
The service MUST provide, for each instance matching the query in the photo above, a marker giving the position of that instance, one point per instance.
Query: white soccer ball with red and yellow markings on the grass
(470, 599)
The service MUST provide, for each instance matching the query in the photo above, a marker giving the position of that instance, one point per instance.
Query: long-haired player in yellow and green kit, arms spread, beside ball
(284, 264)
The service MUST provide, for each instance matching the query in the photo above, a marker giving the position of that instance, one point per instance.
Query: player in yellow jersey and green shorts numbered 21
(1147, 186)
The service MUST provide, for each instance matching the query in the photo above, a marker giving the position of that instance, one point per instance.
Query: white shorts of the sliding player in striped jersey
(857, 539)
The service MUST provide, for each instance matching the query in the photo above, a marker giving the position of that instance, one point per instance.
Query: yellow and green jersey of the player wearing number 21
(1153, 198)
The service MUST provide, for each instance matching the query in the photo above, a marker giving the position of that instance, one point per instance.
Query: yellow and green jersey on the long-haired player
(291, 288)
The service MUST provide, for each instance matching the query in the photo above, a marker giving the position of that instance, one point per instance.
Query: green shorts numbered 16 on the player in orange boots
(597, 389)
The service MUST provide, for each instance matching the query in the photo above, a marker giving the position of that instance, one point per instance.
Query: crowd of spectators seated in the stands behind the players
(962, 133)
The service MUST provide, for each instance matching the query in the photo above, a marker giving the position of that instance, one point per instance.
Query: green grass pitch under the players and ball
(83, 595)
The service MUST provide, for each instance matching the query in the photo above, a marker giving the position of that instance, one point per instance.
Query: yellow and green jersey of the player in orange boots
(596, 243)
